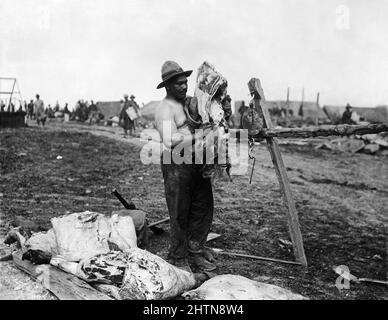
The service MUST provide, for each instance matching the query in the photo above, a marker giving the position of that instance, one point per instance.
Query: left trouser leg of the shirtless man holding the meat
(178, 184)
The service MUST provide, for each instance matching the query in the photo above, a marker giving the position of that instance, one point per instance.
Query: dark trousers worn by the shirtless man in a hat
(190, 204)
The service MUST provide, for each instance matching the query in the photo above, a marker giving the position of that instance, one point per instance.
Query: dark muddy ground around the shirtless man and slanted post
(342, 201)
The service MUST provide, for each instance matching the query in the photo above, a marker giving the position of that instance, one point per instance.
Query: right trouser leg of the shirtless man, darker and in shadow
(201, 213)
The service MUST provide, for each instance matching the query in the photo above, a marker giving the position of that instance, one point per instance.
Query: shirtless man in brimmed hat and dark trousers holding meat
(189, 195)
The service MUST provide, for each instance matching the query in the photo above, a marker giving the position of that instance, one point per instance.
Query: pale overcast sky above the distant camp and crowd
(100, 49)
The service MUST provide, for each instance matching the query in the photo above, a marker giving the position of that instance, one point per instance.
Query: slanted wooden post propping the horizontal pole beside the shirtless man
(293, 221)
